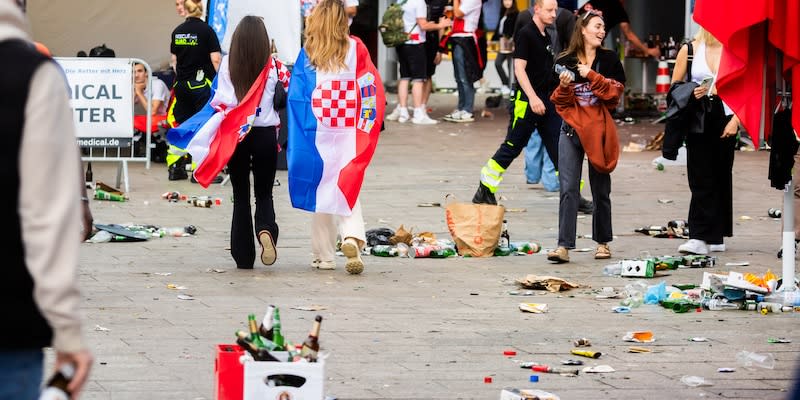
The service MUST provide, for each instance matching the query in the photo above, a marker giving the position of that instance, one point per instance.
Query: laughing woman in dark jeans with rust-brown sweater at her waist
(590, 86)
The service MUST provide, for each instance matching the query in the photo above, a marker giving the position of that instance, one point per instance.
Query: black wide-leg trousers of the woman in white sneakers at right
(709, 164)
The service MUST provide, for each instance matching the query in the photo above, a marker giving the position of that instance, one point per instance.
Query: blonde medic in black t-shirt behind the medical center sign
(196, 56)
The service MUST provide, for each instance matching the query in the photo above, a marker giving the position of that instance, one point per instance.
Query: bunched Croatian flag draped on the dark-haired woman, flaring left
(212, 134)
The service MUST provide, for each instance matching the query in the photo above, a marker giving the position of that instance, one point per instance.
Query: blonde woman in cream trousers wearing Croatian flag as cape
(335, 112)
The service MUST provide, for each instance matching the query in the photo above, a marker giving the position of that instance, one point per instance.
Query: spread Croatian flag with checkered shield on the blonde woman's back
(334, 120)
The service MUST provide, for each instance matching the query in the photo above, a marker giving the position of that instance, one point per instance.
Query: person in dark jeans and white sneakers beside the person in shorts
(467, 63)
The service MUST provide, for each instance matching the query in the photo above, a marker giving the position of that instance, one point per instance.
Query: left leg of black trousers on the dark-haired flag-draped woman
(242, 247)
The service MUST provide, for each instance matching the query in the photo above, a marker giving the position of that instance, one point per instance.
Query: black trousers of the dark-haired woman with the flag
(258, 153)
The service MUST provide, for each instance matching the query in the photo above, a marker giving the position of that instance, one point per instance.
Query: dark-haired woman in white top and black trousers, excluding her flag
(257, 153)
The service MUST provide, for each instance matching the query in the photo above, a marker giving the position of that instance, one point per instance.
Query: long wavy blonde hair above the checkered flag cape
(327, 36)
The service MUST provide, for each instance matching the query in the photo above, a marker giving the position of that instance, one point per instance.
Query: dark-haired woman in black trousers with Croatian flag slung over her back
(238, 128)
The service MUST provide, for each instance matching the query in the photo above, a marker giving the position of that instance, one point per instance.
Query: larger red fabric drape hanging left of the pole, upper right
(742, 32)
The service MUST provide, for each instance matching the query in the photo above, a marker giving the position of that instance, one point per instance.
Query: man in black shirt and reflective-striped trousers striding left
(533, 68)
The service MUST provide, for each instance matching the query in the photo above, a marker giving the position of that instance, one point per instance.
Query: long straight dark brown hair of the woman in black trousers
(248, 54)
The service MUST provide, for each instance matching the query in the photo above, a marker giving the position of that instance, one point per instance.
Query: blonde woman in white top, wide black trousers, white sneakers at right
(710, 142)
